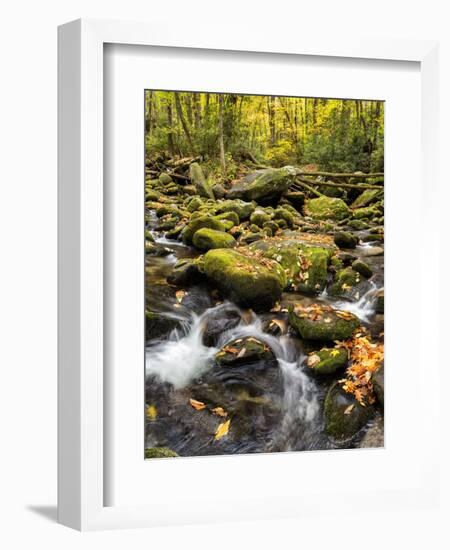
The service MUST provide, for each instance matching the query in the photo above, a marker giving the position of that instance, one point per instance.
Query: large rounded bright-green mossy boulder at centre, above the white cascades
(248, 281)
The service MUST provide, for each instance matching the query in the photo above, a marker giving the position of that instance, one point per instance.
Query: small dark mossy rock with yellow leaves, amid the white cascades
(244, 351)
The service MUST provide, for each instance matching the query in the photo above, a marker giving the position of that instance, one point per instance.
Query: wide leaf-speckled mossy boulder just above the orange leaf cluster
(323, 323)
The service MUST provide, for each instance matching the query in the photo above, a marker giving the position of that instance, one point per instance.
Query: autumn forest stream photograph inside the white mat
(264, 273)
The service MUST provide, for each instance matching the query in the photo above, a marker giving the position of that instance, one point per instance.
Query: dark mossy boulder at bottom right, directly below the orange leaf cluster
(343, 414)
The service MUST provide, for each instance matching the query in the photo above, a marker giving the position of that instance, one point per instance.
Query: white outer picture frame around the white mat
(81, 480)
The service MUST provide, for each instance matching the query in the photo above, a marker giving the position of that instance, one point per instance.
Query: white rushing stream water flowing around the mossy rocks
(179, 366)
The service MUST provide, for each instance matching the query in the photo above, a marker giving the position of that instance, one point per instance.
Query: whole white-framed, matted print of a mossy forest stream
(229, 221)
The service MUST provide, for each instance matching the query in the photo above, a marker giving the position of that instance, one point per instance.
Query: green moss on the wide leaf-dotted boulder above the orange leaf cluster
(325, 328)
